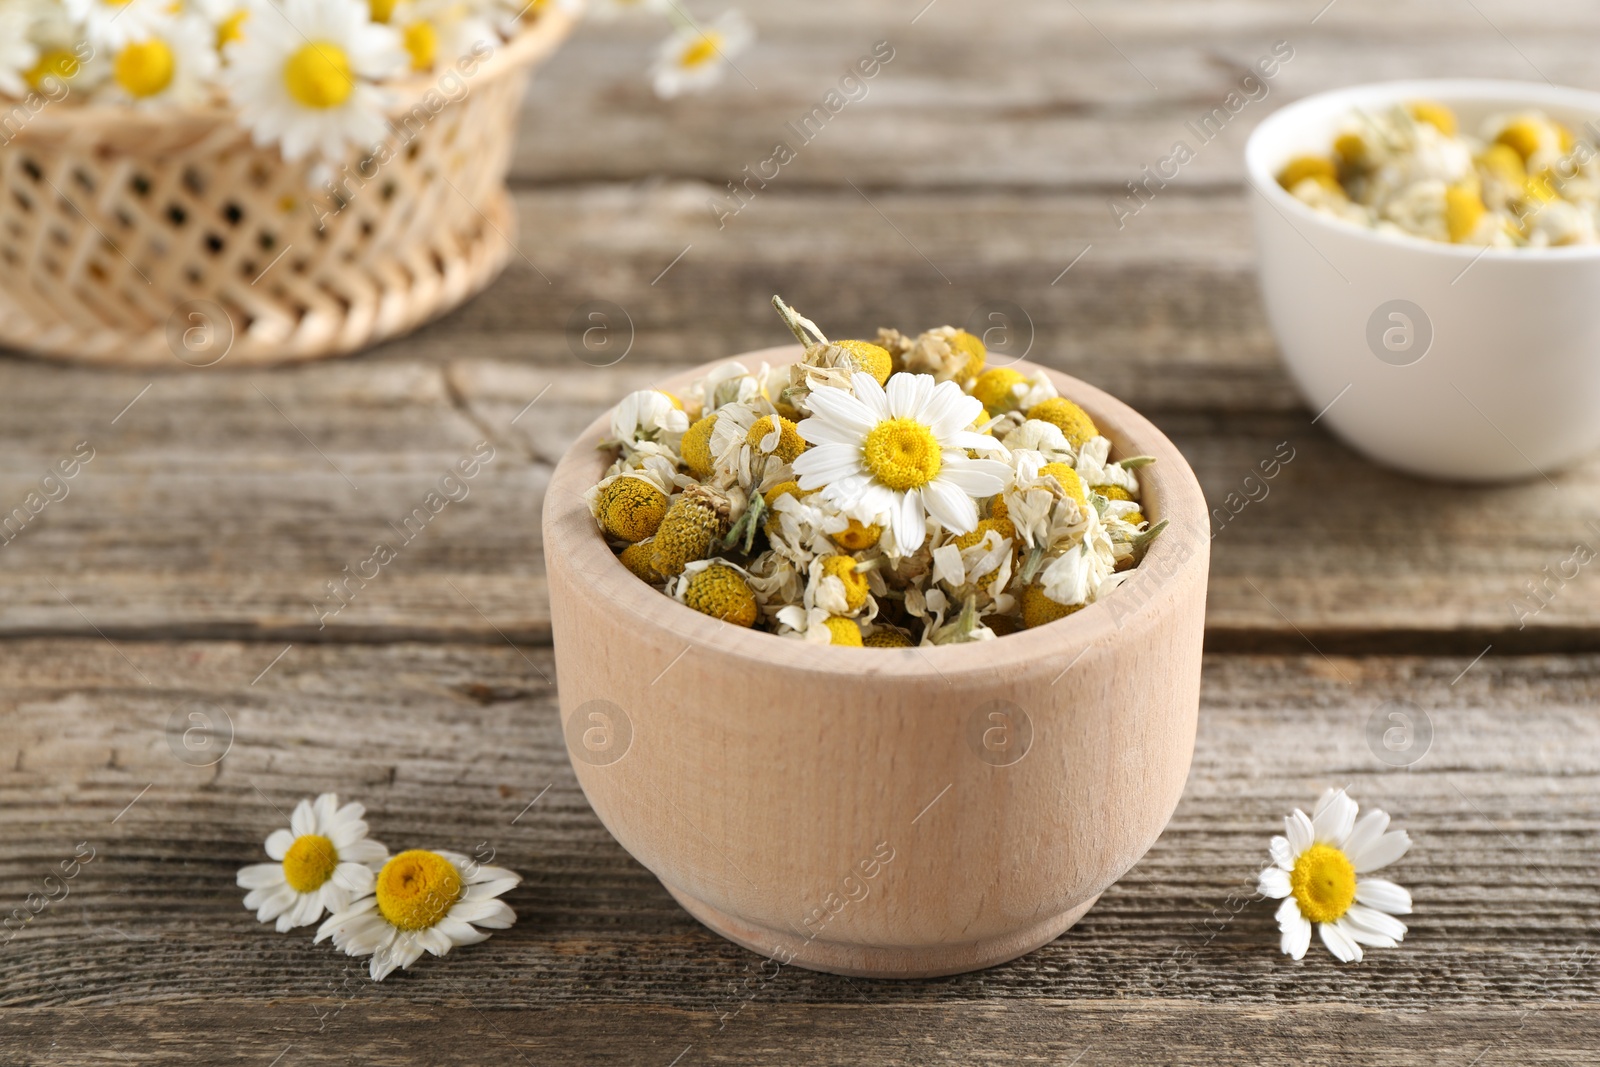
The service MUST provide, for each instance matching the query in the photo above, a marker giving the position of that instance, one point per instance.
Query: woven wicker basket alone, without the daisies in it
(138, 239)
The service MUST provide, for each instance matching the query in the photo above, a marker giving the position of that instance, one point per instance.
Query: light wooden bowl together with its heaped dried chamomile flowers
(846, 596)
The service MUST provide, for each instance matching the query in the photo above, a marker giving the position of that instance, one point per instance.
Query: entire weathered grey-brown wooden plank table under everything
(183, 569)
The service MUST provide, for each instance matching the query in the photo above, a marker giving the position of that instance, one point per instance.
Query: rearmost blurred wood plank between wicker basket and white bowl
(1034, 95)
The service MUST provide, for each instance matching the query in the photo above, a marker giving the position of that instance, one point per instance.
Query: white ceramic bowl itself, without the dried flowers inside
(1442, 361)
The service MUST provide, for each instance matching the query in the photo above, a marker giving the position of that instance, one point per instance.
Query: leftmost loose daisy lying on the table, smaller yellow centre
(322, 863)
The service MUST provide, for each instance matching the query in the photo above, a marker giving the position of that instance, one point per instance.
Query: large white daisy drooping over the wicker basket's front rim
(303, 76)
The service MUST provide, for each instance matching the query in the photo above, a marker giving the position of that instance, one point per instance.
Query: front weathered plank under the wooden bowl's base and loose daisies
(452, 746)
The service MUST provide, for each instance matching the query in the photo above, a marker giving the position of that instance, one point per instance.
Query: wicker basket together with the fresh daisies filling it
(265, 180)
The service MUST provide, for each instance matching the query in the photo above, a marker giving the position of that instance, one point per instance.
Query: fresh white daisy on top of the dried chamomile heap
(898, 455)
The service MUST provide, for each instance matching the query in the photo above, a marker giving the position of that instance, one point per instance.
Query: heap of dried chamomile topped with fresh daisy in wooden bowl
(884, 494)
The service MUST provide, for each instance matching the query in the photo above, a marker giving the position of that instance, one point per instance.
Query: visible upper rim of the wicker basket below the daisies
(530, 46)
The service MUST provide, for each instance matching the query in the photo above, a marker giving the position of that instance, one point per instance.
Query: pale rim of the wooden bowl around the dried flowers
(574, 541)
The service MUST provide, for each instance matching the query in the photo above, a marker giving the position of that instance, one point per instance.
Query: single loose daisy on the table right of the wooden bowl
(1316, 871)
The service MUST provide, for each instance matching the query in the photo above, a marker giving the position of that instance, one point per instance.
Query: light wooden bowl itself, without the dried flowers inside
(887, 813)
